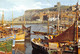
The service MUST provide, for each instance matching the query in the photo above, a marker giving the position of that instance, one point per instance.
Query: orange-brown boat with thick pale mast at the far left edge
(5, 29)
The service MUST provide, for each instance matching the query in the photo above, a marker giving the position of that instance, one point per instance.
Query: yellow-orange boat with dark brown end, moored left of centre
(23, 34)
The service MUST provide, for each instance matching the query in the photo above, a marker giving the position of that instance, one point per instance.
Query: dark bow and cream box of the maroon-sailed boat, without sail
(43, 46)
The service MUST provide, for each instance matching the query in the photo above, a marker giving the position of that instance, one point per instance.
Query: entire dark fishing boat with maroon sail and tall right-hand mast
(64, 42)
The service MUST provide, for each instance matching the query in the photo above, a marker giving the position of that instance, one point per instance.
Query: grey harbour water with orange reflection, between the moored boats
(26, 47)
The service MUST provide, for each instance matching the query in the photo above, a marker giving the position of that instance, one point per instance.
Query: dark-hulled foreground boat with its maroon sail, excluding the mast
(53, 44)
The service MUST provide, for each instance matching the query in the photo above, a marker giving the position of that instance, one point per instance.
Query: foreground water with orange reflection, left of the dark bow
(25, 48)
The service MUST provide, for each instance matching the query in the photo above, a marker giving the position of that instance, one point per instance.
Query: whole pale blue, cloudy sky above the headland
(20, 6)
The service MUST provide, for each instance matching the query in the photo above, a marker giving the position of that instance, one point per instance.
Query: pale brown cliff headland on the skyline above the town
(31, 14)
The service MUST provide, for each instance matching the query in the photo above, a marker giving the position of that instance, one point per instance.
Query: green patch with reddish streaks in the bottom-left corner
(7, 46)
